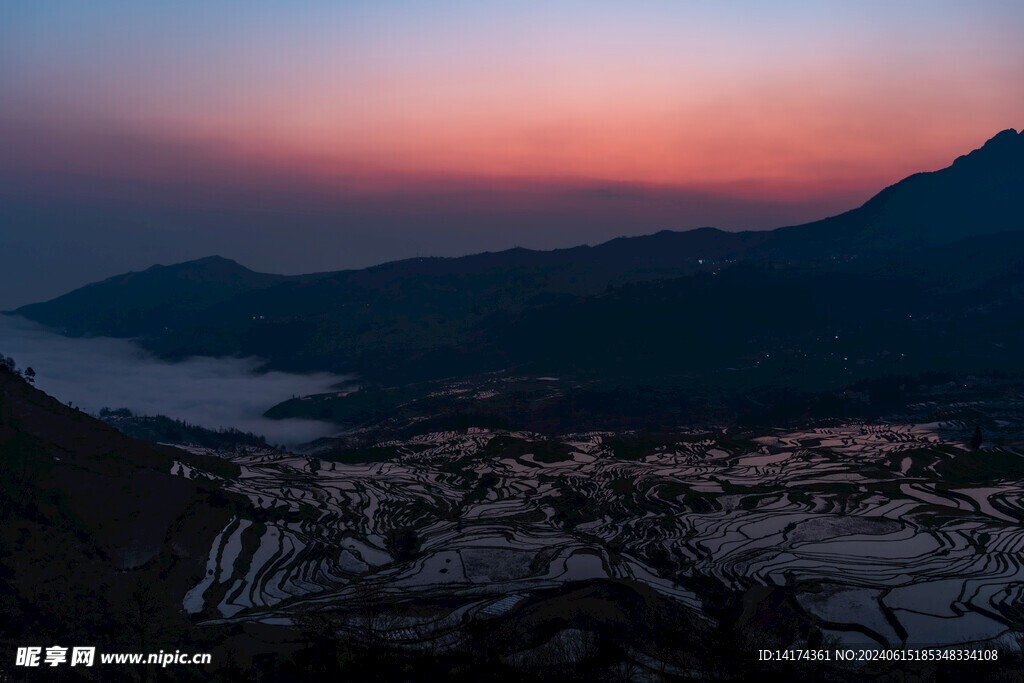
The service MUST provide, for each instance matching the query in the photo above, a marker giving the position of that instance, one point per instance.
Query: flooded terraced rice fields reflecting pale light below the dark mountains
(889, 535)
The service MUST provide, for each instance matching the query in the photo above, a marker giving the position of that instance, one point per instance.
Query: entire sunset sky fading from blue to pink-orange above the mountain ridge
(311, 136)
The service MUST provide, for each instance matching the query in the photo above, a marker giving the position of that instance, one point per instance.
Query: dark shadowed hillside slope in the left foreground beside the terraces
(99, 540)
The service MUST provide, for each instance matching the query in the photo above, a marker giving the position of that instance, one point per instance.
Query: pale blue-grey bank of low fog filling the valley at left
(217, 394)
